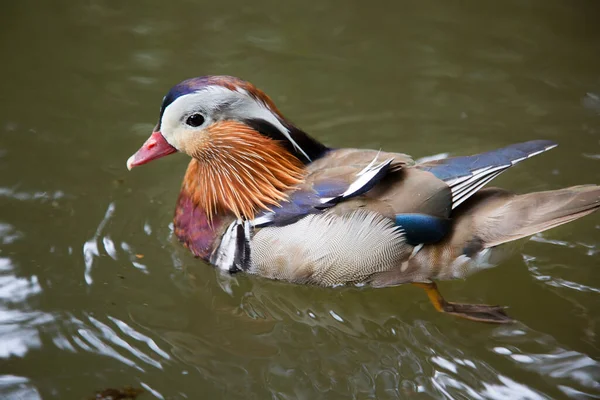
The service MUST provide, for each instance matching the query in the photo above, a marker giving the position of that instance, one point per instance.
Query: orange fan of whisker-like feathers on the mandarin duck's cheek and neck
(237, 171)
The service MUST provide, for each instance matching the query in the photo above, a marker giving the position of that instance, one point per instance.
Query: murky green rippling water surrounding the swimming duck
(95, 292)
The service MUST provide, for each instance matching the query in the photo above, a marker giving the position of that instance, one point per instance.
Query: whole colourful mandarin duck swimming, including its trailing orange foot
(260, 196)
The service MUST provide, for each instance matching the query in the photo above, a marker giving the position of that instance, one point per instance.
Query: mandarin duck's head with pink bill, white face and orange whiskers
(245, 154)
